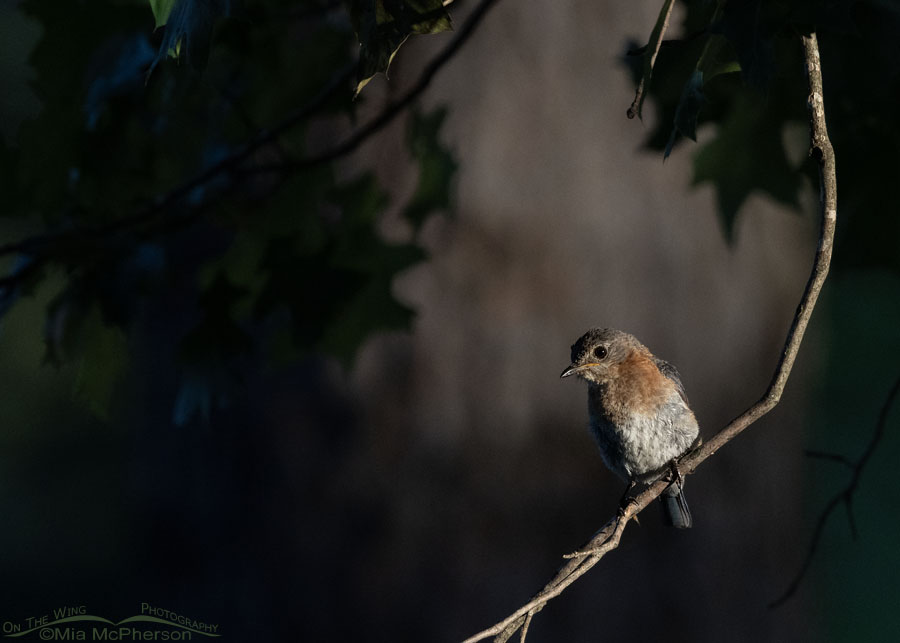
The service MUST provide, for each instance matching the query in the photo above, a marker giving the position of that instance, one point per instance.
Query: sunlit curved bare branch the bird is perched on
(608, 537)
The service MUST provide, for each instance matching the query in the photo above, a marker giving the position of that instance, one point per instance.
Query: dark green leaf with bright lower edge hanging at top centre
(382, 26)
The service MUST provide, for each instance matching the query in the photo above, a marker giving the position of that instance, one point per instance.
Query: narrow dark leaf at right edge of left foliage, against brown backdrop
(437, 166)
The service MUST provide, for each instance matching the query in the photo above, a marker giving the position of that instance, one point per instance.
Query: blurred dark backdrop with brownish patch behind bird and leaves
(428, 485)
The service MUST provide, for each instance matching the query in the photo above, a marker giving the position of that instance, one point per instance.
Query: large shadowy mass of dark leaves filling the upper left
(145, 191)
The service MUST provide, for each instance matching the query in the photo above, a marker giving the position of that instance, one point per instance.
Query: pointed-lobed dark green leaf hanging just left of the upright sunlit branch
(746, 155)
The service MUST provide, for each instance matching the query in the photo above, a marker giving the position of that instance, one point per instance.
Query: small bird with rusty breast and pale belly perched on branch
(639, 413)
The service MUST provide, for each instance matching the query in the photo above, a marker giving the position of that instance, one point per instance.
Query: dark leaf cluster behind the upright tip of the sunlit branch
(737, 67)
